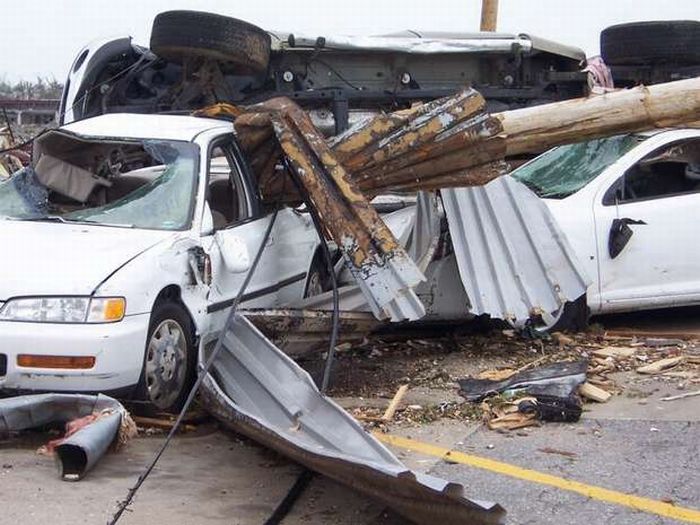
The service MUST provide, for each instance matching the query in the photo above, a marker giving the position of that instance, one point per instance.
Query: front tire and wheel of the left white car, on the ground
(169, 362)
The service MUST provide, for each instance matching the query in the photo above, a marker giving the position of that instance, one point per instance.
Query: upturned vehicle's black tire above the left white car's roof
(179, 34)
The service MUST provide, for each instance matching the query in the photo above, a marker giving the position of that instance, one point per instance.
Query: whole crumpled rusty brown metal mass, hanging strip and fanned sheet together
(428, 146)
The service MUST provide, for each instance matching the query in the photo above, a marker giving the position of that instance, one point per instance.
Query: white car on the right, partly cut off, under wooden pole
(630, 206)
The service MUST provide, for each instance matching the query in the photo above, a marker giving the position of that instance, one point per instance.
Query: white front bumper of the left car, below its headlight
(117, 347)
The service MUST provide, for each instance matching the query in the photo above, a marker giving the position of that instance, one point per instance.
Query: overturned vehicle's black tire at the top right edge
(673, 41)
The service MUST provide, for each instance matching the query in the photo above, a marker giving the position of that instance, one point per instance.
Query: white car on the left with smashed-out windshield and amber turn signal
(127, 240)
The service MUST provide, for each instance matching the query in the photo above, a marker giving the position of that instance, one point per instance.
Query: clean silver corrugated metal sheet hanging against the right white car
(513, 259)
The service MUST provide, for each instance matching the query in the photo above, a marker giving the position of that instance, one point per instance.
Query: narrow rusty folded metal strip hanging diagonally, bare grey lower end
(381, 266)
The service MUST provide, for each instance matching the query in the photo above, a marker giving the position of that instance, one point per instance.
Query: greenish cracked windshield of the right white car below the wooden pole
(564, 170)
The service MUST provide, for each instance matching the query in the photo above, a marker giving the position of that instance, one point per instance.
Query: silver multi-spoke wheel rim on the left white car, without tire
(166, 363)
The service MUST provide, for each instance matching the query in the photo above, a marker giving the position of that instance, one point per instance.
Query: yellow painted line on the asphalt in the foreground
(660, 508)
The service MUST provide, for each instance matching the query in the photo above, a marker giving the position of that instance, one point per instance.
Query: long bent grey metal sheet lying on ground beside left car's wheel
(258, 391)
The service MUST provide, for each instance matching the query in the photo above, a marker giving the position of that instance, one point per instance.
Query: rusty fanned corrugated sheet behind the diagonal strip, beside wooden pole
(449, 142)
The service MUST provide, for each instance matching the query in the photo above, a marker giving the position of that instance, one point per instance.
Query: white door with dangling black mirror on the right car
(646, 231)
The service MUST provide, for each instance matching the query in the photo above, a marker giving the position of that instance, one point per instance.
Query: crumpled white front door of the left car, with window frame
(239, 229)
